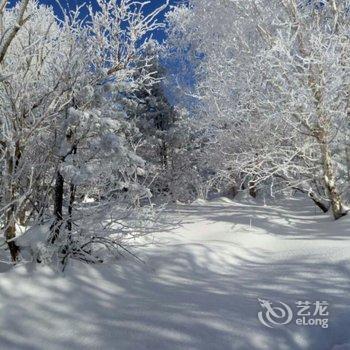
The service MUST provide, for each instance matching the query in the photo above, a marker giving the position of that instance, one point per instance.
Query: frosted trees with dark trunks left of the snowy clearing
(64, 131)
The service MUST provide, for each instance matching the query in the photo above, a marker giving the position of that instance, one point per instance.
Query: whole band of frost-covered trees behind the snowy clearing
(100, 123)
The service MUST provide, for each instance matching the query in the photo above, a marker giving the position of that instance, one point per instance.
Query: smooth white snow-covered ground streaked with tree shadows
(199, 288)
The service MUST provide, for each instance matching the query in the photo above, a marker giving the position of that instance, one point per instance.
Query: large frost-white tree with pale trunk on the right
(273, 82)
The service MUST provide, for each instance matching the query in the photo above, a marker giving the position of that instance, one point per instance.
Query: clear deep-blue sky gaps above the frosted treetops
(159, 35)
